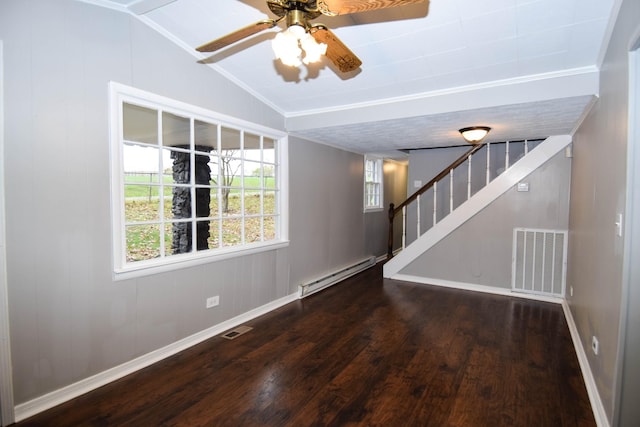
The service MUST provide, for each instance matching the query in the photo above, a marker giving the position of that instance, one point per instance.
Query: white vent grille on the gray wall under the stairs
(539, 261)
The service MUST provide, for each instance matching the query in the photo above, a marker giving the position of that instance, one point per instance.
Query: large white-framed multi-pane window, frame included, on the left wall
(190, 184)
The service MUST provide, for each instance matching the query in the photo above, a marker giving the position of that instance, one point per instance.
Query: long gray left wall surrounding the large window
(68, 319)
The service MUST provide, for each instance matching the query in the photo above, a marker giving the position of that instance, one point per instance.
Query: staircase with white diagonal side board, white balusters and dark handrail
(496, 181)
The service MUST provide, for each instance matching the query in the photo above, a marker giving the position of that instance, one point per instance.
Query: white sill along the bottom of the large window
(146, 268)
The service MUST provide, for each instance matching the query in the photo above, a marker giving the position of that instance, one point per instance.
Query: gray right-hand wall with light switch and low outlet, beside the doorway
(598, 195)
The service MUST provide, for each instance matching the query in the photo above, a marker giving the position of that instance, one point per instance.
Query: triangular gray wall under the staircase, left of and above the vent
(479, 252)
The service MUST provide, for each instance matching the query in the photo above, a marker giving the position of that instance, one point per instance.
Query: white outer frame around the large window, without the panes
(121, 94)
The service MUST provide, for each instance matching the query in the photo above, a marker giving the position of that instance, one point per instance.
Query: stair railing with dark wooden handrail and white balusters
(433, 183)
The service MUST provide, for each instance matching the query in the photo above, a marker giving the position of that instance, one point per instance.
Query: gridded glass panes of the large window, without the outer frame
(192, 185)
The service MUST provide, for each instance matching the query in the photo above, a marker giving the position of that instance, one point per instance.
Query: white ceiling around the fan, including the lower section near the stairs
(527, 68)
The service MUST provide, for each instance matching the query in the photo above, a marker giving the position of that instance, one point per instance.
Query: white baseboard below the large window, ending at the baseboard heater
(54, 398)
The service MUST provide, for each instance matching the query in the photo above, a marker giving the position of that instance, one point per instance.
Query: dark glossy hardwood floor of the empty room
(366, 352)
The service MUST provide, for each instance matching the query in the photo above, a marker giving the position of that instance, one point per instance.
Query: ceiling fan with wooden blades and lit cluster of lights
(314, 39)
